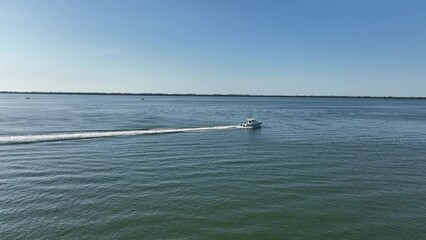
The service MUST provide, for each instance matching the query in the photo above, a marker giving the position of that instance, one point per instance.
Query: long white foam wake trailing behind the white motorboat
(99, 134)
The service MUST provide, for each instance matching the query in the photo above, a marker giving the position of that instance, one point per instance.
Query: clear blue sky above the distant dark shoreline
(312, 47)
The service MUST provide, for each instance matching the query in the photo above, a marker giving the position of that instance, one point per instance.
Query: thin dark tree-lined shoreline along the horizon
(205, 95)
